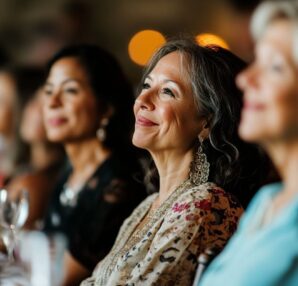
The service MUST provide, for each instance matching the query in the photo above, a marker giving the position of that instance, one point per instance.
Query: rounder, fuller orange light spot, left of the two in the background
(143, 45)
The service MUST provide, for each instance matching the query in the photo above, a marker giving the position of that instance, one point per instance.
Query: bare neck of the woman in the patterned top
(173, 169)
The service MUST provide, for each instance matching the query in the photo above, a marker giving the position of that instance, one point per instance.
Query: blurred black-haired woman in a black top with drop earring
(88, 108)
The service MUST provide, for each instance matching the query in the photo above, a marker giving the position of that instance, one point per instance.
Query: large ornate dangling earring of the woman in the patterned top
(199, 167)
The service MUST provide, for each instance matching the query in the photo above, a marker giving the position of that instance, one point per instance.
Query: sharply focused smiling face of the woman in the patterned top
(166, 116)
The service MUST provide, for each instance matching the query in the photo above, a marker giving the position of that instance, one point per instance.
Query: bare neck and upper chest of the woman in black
(85, 157)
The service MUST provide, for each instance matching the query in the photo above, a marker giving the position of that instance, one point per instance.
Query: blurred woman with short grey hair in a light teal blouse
(264, 250)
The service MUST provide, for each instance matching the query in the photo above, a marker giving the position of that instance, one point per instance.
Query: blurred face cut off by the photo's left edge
(7, 103)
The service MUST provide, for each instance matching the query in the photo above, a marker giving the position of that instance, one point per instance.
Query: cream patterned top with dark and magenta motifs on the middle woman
(165, 250)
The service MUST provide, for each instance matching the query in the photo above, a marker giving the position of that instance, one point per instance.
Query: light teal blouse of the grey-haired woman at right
(260, 255)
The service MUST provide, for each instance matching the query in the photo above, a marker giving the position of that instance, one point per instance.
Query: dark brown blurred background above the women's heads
(32, 30)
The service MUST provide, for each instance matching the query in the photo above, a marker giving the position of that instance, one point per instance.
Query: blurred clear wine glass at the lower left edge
(13, 215)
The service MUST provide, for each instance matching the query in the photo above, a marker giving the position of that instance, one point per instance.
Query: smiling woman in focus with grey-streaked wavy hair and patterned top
(187, 114)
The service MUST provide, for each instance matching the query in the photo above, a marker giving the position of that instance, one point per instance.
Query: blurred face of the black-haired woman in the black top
(70, 107)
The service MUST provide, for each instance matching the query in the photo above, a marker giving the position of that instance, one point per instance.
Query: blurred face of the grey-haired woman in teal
(270, 88)
